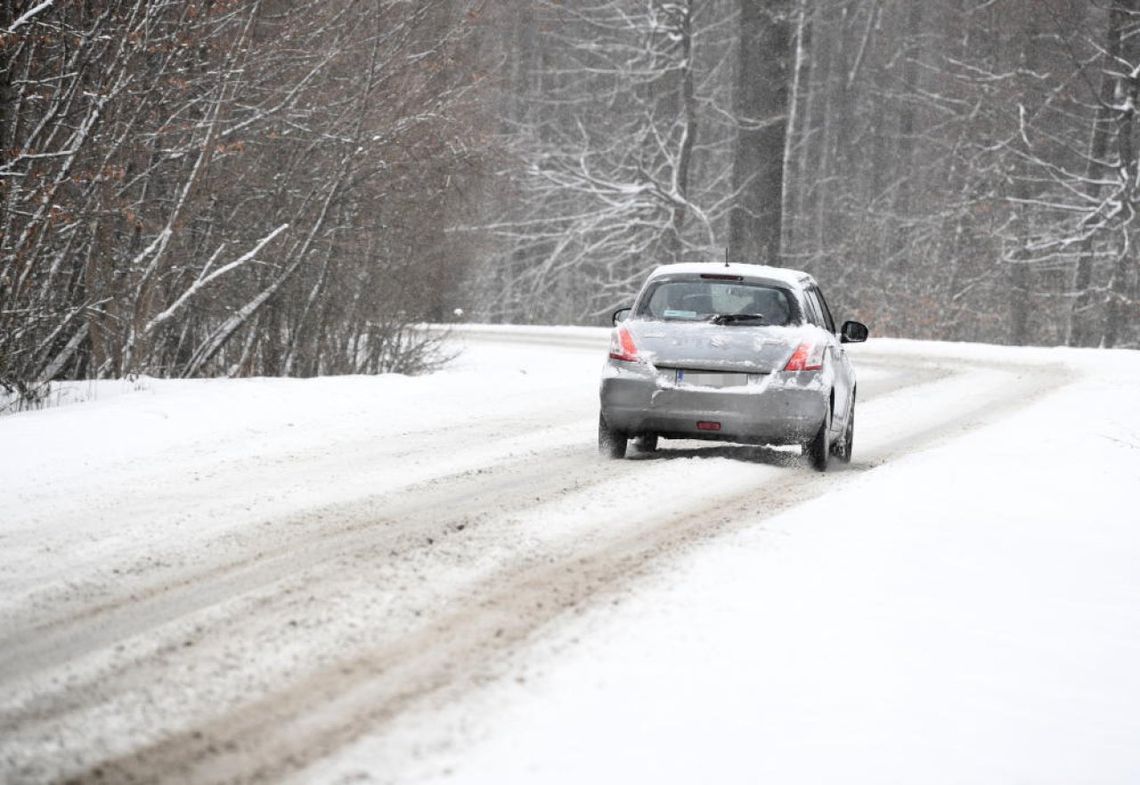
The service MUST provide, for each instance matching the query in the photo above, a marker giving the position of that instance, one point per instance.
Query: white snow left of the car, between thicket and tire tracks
(83, 483)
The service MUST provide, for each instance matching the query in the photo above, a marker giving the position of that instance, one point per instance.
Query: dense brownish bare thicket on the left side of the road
(229, 186)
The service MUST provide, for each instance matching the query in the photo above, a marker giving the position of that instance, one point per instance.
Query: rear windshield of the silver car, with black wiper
(703, 300)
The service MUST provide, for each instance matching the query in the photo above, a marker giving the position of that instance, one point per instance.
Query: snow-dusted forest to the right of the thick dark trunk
(967, 168)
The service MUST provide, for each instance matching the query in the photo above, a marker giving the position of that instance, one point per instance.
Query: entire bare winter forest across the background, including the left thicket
(295, 187)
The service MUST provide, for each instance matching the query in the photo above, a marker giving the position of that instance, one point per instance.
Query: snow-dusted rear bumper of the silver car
(779, 408)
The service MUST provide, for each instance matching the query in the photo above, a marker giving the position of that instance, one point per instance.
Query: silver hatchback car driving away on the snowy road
(739, 354)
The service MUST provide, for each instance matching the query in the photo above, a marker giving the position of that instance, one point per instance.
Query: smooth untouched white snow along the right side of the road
(970, 614)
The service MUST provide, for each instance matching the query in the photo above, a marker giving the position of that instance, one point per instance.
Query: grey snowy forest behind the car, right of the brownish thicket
(951, 169)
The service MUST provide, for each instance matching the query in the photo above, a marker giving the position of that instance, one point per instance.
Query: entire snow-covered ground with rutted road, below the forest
(437, 579)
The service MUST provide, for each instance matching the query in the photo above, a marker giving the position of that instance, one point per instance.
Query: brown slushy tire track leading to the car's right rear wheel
(335, 706)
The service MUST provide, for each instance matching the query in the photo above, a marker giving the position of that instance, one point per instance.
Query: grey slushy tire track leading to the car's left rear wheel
(394, 521)
